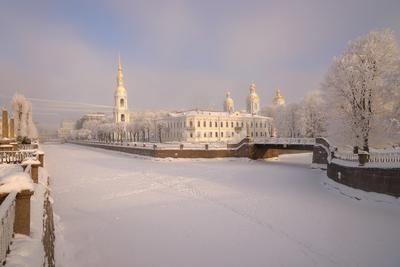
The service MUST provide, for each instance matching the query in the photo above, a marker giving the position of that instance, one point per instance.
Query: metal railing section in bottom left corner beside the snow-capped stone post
(7, 216)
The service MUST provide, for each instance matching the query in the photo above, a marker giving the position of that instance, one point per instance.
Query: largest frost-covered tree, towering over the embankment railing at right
(360, 85)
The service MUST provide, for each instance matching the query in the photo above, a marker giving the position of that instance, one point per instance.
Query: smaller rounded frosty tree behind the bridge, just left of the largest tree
(313, 113)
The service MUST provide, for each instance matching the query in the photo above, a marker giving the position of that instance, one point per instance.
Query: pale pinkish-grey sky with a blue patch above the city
(175, 54)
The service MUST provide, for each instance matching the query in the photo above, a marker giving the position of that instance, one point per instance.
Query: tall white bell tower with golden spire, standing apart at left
(121, 112)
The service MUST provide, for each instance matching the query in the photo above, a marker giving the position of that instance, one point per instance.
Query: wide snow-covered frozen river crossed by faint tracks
(121, 210)
